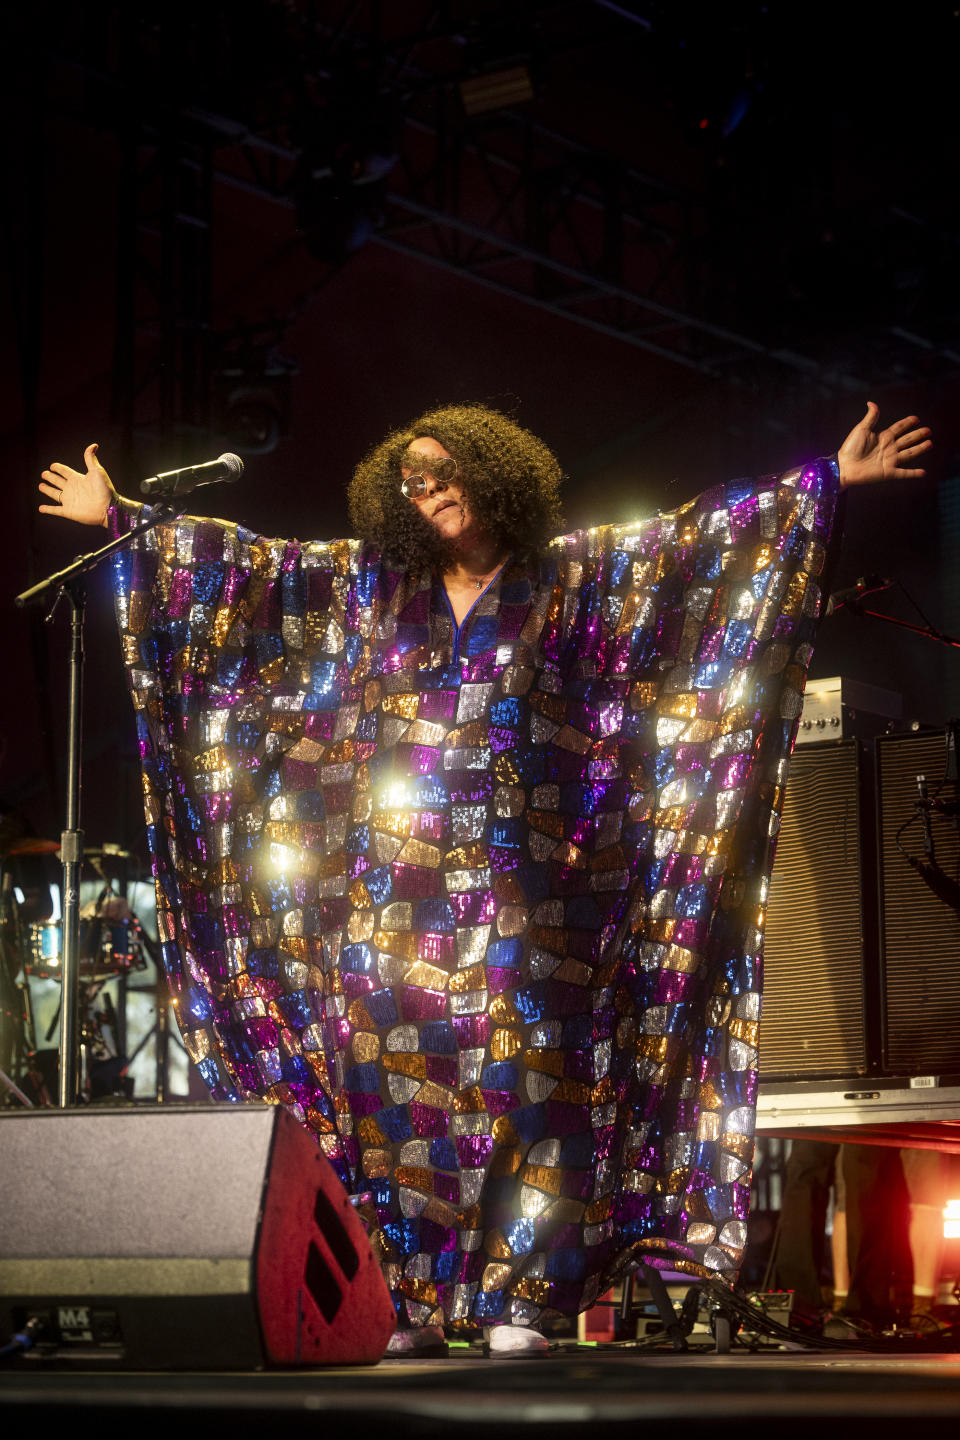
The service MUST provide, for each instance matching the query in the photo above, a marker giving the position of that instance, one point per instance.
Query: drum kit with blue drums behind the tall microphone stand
(113, 947)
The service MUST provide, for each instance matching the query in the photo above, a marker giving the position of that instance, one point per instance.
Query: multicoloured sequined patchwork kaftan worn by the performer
(483, 906)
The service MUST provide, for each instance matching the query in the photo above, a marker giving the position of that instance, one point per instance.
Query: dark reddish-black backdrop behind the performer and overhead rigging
(811, 178)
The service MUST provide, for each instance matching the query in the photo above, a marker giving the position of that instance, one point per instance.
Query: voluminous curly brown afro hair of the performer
(512, 479)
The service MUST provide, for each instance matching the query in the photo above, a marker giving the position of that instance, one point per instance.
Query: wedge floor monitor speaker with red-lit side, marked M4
(186, 1238)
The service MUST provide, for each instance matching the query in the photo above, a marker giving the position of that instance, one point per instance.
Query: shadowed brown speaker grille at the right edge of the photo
(920, 932)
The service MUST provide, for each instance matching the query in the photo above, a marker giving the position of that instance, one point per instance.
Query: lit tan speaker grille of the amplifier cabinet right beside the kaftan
(814, 951)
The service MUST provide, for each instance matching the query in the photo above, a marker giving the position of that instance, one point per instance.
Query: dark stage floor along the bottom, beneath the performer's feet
(800, 1393)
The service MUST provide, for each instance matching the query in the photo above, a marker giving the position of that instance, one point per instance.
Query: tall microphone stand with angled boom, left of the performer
(70, 582)
